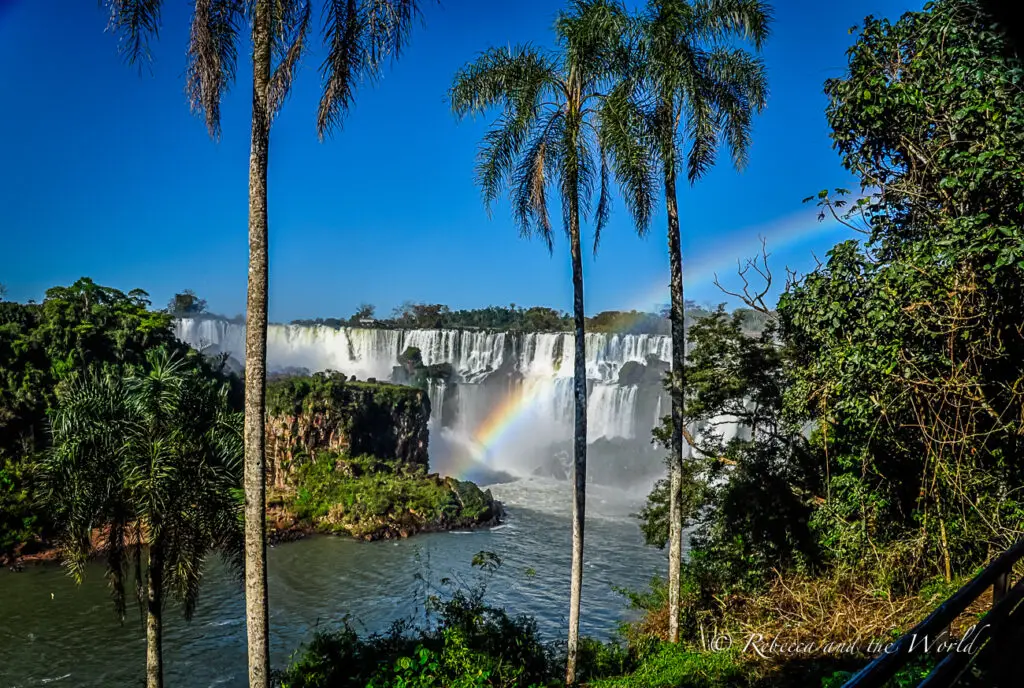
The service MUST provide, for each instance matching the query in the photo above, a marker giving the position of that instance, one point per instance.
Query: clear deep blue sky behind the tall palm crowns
(106, 174)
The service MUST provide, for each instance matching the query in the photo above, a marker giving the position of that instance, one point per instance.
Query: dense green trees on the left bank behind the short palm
(77, 330)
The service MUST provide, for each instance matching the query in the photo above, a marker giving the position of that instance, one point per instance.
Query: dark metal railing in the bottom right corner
(936, 626)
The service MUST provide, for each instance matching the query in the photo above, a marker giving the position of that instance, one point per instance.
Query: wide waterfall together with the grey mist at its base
(507, 407)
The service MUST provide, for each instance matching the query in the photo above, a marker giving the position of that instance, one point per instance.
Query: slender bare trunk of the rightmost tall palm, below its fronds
(678, 316)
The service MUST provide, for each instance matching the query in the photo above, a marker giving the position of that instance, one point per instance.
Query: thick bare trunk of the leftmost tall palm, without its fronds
(255, 469)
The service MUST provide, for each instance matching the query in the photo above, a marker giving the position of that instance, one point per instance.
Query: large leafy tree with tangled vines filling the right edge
(908, 347)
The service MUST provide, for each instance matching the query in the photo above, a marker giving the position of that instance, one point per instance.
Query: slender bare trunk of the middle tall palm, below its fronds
(580, 441)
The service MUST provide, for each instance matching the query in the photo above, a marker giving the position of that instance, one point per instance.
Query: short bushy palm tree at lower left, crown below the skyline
(154, 459)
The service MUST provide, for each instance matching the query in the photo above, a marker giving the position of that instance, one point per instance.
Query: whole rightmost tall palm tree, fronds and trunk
(704, 92)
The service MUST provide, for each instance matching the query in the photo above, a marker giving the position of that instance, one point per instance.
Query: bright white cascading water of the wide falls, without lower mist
(499, 378)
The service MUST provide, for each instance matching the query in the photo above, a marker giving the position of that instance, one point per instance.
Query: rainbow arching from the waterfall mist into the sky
(509, 416)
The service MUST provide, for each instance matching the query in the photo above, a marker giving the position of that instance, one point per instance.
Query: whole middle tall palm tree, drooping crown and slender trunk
(563, 122)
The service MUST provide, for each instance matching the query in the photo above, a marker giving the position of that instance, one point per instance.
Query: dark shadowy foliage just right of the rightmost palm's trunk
(747, 498)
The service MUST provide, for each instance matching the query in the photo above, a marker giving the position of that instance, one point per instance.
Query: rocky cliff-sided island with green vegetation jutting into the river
(348, 457)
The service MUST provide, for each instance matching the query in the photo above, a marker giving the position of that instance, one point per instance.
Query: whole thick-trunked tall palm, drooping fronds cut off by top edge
(361, 36)
